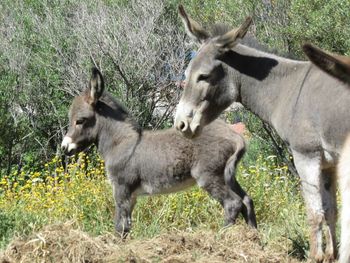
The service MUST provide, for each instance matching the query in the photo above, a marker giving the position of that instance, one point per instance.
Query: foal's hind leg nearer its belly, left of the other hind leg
(230, 201)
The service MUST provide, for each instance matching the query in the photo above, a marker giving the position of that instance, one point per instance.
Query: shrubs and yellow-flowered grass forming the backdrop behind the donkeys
(47, 50)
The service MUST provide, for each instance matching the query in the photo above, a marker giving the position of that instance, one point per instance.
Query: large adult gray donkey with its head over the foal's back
(292, 96)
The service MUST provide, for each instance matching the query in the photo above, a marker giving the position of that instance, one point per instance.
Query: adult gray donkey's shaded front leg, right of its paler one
(329, 203)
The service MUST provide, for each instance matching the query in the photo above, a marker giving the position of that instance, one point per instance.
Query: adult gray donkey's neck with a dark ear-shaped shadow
(265, 80)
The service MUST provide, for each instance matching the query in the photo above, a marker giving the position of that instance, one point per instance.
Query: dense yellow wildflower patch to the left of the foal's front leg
(57, 193)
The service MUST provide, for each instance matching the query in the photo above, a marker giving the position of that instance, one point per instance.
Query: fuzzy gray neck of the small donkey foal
(118, 135)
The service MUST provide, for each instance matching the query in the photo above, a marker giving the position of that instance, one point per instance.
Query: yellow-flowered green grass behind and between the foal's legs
(81, 193)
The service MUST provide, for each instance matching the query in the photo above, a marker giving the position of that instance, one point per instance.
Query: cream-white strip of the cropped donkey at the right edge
(344, 185)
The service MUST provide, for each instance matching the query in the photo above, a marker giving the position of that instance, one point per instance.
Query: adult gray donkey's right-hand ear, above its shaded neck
(230, 39)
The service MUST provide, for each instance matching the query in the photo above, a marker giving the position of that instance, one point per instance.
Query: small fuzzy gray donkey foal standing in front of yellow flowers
(155, 162)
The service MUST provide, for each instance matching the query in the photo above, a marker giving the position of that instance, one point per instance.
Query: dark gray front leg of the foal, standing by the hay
(125, 202)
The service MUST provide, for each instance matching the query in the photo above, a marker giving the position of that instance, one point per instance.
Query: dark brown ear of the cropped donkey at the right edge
(335, 65)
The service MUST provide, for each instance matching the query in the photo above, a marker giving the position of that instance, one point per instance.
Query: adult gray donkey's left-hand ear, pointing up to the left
(193, 29)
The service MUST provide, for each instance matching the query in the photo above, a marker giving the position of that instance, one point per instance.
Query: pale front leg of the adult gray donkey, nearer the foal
(309, 169)
